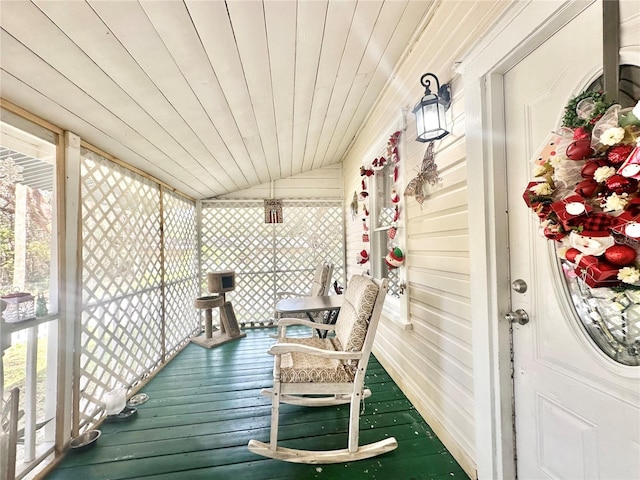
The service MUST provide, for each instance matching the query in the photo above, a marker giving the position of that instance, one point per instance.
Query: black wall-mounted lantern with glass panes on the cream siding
(431, 123)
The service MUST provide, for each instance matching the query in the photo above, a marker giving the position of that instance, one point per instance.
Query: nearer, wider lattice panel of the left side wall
(121, 280)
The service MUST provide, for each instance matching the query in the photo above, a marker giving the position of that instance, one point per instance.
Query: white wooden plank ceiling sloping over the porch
(210, 97)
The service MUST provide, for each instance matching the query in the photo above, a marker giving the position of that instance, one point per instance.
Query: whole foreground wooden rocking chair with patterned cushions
(331, 369)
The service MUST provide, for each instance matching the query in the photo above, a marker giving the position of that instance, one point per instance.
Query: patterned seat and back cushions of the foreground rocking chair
(351, 329)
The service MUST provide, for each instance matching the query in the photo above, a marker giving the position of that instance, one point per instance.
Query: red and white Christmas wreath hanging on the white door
(586, 191)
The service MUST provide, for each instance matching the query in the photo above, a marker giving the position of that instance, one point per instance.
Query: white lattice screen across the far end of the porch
(268, 258)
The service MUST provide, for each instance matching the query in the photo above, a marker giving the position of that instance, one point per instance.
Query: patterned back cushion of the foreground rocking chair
(353, 319)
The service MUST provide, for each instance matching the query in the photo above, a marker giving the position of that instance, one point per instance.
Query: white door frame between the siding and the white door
(521, 29)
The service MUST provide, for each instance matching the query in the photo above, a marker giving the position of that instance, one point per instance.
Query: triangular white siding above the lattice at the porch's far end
(321, 183)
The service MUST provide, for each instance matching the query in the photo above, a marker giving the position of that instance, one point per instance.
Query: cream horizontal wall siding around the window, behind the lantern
(432, 361)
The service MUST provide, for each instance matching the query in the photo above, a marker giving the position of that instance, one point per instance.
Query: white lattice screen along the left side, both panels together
(128, 293)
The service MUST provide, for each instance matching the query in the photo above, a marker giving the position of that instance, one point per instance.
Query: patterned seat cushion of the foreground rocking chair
(299, 367)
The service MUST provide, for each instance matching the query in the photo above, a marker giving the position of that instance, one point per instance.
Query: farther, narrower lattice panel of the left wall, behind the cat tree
(181, 274)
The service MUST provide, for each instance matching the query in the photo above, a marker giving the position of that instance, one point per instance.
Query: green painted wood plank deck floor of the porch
(206, 405)
